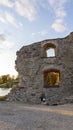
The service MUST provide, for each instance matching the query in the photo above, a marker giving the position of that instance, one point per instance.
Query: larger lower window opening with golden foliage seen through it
(51, 78)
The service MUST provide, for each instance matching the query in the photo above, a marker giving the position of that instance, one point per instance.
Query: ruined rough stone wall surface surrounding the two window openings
(32, 61)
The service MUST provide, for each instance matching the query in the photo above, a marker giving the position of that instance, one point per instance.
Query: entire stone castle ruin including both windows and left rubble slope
(46, 71)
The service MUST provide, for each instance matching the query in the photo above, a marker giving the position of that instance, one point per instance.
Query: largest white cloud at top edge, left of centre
(26, 8)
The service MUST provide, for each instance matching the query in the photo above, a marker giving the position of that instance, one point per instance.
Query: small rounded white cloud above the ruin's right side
(59, 25)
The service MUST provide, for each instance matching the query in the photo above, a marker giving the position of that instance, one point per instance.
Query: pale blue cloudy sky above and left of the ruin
(23, 22)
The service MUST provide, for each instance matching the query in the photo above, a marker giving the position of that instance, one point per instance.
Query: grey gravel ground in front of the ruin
(20, 116)
